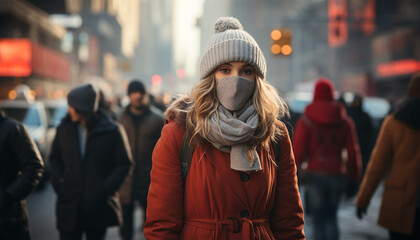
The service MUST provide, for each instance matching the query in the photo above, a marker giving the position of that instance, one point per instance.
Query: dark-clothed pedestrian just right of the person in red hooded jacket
(364, 128)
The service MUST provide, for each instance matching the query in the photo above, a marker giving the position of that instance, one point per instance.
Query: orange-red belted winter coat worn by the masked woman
(218, 202)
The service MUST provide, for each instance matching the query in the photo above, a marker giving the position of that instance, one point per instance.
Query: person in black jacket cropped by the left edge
(21, 168)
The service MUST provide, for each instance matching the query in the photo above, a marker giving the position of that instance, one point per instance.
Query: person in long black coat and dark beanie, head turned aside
(89, 160)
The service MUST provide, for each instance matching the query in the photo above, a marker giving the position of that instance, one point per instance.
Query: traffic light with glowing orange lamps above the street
(281, 42)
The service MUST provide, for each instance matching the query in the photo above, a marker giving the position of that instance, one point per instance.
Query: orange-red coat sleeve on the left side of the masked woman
(165, 199)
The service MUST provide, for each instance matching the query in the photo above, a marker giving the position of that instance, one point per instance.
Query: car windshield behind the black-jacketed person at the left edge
(29, 116)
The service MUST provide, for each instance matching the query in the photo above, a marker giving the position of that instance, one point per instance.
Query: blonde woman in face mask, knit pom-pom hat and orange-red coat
(235, 189)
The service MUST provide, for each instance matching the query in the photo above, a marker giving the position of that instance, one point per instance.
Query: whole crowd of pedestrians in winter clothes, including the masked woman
(219, 163)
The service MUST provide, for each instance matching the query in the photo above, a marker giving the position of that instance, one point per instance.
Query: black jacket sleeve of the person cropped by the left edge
(29, 161)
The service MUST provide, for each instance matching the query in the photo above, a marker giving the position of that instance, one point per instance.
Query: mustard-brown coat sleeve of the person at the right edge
(378, 165)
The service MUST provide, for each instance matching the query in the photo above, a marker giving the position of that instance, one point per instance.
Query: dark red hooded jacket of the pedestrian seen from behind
(321, 135)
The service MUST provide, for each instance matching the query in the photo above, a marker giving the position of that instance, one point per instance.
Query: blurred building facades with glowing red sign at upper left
(54, 45)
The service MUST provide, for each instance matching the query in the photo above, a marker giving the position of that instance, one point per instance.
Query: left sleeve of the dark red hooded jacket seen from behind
(300, 142)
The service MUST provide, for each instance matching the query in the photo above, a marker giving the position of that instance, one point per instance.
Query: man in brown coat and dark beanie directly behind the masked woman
(143, 127)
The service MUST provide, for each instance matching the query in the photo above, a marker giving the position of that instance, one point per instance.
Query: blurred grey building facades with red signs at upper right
(365, 46)
